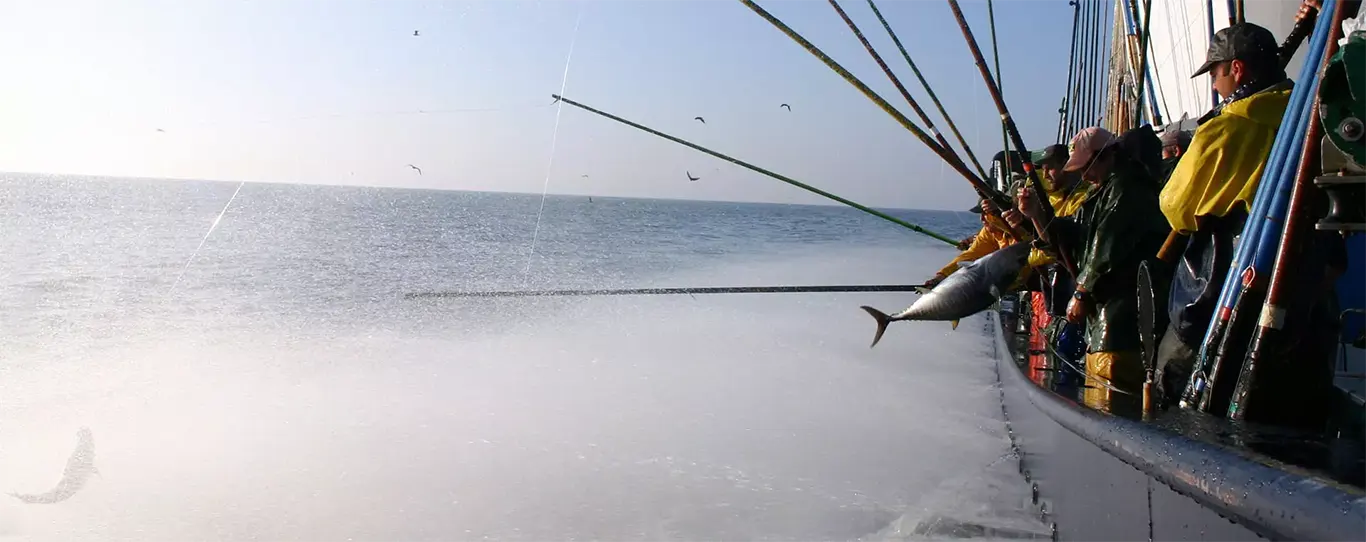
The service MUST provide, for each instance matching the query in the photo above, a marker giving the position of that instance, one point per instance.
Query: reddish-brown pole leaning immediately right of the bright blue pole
(1270, 337)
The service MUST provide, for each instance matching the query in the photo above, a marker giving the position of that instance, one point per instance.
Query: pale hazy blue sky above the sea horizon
(329, 92)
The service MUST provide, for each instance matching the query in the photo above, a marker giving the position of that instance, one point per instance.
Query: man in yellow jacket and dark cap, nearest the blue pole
(1211, 189)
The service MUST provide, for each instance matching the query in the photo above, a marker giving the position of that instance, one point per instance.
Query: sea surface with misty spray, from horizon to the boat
(279, 387)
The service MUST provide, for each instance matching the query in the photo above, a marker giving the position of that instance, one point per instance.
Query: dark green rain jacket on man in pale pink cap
(1118, 227)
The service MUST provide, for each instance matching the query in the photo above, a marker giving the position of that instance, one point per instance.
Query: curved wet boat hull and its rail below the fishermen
(1107, 479)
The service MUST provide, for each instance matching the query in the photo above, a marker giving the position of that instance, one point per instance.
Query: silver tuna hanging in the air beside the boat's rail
(968, 291)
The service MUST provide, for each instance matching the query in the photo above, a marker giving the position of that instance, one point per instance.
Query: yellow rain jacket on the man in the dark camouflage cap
(1226, 159)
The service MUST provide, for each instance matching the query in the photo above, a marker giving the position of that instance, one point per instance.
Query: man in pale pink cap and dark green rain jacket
(1115, 229)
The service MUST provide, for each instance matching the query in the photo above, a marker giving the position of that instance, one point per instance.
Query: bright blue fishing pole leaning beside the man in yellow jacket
(1257, 245)
